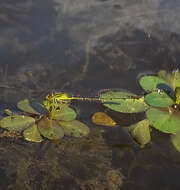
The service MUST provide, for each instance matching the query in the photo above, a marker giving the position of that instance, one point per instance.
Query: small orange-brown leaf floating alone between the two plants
(101, 118)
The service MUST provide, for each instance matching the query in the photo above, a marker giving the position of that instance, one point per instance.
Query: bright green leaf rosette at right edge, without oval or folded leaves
(166, 114)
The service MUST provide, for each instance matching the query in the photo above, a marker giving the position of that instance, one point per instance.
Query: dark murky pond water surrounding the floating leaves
(81, 47)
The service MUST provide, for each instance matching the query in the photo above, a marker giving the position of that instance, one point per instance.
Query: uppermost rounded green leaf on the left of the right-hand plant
(150, 82)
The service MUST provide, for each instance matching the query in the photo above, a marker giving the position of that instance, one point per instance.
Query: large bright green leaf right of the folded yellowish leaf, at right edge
(165, 121)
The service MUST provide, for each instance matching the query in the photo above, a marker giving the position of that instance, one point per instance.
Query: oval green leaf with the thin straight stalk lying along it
(124, 102)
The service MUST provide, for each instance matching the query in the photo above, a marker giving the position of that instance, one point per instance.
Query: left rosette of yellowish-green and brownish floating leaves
(46, 121)
